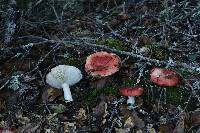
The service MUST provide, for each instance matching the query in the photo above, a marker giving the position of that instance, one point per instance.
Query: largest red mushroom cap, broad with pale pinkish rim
(102, 64)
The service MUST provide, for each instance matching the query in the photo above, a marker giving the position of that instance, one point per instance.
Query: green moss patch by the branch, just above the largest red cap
(112, 43)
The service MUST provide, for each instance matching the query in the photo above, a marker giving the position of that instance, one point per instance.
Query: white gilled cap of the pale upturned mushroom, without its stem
(63, 74)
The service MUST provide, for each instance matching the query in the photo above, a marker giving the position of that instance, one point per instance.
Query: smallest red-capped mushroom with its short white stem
(131, 92)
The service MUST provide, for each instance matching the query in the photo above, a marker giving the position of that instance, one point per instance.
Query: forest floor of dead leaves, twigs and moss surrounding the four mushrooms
(37, 36)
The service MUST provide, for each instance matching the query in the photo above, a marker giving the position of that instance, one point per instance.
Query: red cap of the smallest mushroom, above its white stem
(132, 91)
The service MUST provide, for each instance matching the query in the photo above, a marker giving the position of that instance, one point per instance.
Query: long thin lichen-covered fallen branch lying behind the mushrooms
(83, 42)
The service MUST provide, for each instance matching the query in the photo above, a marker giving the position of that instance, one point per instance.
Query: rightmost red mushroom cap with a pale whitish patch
(164, 77)
